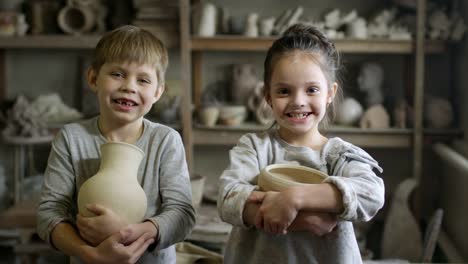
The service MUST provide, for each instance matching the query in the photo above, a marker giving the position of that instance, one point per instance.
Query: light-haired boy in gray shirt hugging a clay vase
(128, 77)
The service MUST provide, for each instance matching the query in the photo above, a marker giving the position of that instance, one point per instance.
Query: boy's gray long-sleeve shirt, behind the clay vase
(162, 174)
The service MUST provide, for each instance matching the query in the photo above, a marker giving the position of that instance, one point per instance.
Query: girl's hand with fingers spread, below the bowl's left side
(276, 213)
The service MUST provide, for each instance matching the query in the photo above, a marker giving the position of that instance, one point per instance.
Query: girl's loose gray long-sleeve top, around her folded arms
(351, 171)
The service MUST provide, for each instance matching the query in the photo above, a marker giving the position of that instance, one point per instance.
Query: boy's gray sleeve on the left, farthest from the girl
(58, 189)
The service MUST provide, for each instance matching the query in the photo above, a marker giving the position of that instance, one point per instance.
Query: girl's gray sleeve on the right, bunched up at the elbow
(362, 190)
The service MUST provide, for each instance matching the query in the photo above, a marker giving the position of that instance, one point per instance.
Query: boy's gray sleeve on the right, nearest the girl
(176, 218)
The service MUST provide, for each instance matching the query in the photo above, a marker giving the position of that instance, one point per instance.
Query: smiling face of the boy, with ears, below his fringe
(126, 91)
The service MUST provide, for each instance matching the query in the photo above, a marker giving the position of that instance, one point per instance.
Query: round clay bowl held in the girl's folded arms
(277, 177)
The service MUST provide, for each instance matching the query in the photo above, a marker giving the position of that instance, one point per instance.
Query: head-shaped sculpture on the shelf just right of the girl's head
(370, 81)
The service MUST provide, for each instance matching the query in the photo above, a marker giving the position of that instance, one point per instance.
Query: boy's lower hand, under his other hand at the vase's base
(115, 250)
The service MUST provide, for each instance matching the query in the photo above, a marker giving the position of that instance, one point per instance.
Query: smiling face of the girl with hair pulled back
(299, 94)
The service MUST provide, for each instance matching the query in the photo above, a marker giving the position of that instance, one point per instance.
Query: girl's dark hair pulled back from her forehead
(307, 39)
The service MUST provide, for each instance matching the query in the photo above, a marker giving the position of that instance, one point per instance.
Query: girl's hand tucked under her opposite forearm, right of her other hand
(318, 223)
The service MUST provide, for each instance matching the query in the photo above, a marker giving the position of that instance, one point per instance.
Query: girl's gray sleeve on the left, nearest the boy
(237, 182)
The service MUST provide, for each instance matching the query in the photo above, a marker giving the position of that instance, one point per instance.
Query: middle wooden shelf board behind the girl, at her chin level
(379, 138)
